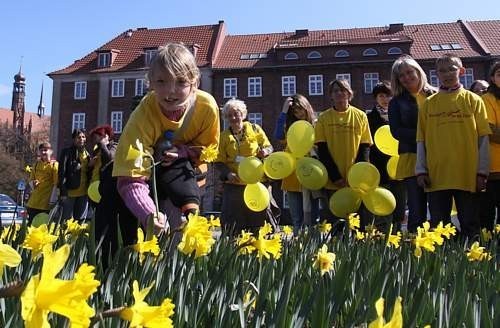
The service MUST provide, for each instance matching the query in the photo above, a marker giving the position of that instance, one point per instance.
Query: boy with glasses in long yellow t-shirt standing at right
(452, 148)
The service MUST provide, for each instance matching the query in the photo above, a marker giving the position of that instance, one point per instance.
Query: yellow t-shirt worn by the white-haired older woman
(231, 149)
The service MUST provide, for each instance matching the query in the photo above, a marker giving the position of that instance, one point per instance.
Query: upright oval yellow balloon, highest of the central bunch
(300, 138)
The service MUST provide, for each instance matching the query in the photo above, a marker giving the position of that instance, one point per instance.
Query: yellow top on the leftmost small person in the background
(46, 174)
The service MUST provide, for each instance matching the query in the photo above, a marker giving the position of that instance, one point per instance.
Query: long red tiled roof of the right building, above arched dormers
(422, 35)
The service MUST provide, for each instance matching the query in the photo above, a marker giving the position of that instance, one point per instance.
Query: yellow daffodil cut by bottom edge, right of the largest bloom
(140, 314)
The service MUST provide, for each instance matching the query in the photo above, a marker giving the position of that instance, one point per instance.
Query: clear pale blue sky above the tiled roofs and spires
(44, 36)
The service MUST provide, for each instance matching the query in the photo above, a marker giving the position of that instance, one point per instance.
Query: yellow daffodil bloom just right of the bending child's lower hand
(196, 236)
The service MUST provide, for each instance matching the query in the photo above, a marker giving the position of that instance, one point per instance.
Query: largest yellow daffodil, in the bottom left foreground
(45, 293)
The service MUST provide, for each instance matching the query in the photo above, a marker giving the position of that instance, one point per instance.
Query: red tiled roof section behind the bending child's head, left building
(130, 47)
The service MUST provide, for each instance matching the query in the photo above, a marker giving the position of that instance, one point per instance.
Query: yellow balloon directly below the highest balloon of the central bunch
(311, 173)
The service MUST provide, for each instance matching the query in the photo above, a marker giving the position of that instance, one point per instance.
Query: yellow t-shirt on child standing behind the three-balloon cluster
(343, 132)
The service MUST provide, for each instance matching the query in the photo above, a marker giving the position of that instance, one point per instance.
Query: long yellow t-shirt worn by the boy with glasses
(449, 124)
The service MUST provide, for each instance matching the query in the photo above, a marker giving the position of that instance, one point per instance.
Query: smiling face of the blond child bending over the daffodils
(171, 93)
